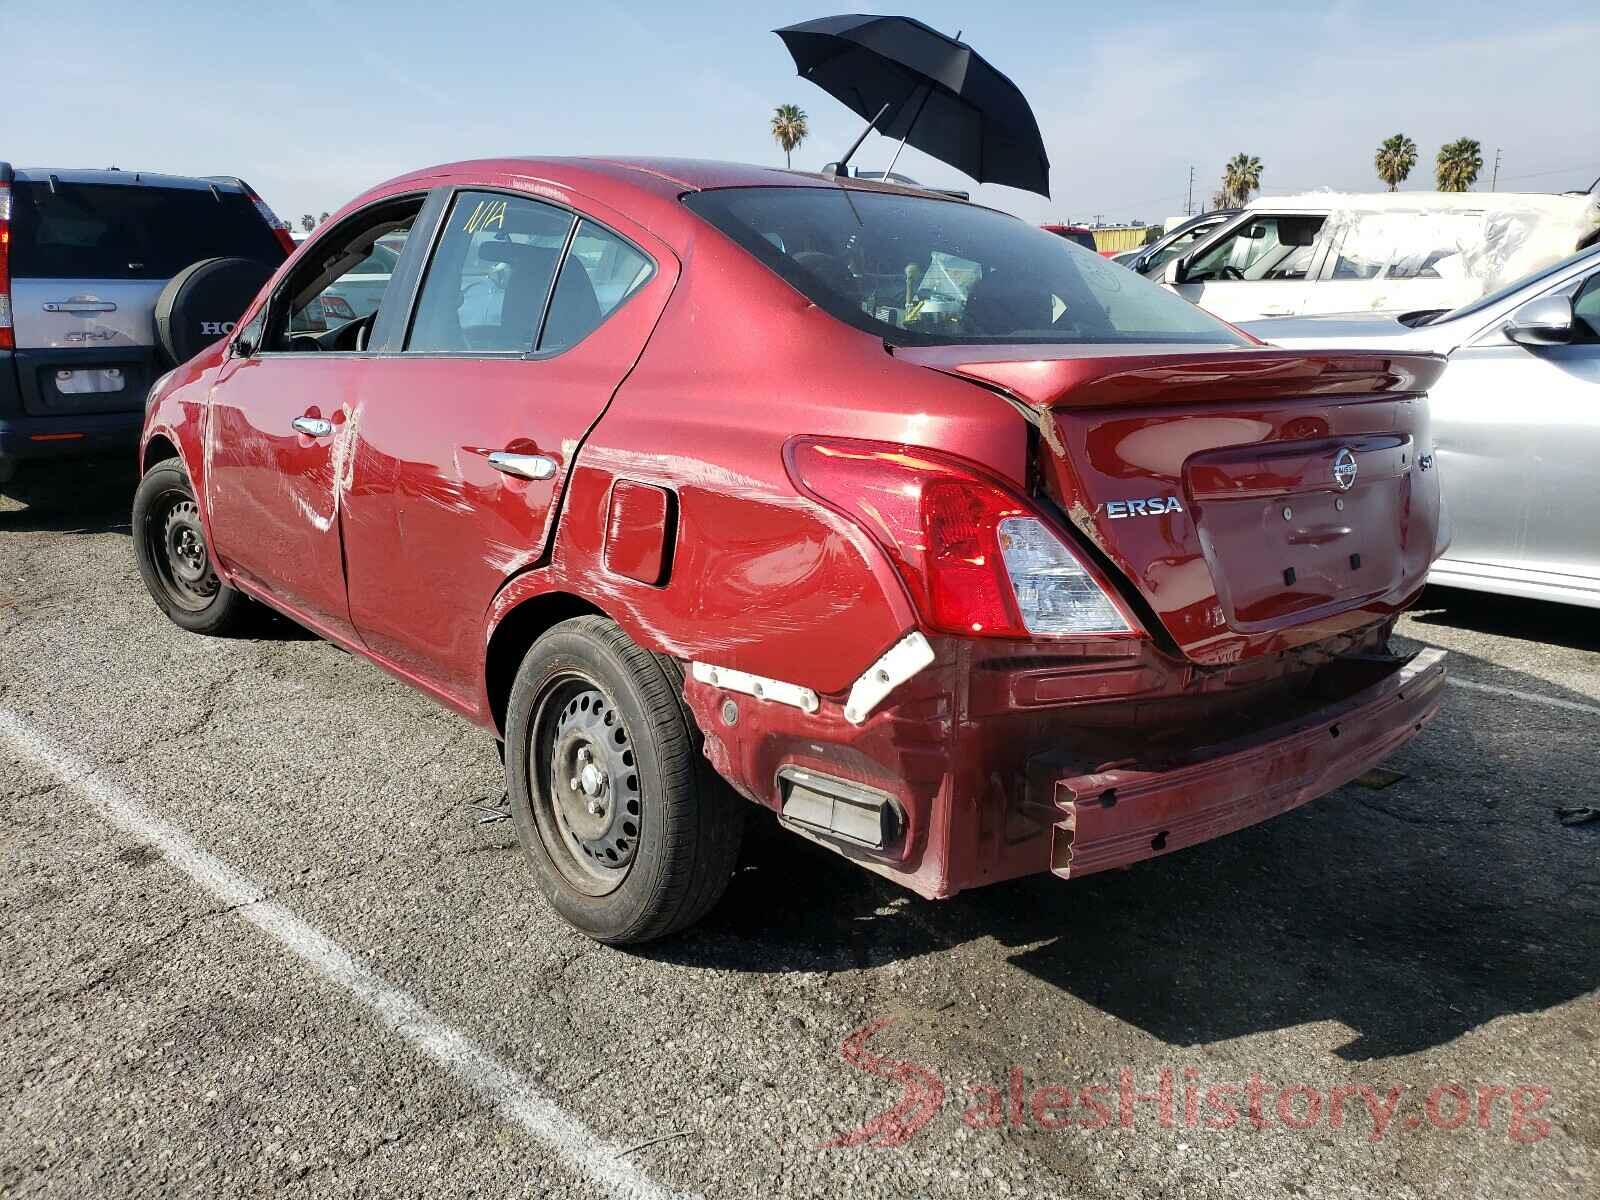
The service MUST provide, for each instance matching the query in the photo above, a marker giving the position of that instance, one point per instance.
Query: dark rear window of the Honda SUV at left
(124, 231)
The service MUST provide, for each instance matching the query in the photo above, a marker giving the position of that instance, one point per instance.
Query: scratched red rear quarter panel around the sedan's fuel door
(761, 578)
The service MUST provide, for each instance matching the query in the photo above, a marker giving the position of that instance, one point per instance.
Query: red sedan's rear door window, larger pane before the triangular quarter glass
(490, 278)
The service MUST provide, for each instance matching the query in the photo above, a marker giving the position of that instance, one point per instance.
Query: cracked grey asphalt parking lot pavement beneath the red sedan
(255, 938)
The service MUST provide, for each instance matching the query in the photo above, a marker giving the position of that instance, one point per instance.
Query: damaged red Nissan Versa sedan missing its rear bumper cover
(702, 487)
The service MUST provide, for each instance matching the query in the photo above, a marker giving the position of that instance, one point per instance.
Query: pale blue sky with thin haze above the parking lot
(316, 102)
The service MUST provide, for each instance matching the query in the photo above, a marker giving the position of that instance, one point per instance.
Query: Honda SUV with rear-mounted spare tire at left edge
(108, 279)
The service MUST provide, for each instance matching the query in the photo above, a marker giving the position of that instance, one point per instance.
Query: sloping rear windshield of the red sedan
(918, 271)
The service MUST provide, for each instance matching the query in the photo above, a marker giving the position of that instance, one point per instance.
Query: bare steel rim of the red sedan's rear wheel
(588, 804)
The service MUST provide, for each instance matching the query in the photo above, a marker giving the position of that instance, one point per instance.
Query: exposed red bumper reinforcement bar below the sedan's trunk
(1121, 817)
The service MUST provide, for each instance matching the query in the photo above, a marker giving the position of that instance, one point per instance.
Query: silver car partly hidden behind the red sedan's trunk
(1516, 426)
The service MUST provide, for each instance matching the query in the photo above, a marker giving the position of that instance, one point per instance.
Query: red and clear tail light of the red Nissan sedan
(977, 559)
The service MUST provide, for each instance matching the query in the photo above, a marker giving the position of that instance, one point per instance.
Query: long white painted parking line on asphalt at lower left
(513, 1095)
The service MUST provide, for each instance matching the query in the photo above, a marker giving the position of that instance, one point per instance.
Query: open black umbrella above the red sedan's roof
(916, 84)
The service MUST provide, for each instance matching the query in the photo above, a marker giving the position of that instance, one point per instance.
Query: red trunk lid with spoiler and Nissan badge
(1255, 500)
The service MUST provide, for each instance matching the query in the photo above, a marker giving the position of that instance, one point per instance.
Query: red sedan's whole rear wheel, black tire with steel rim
(670, 826)
